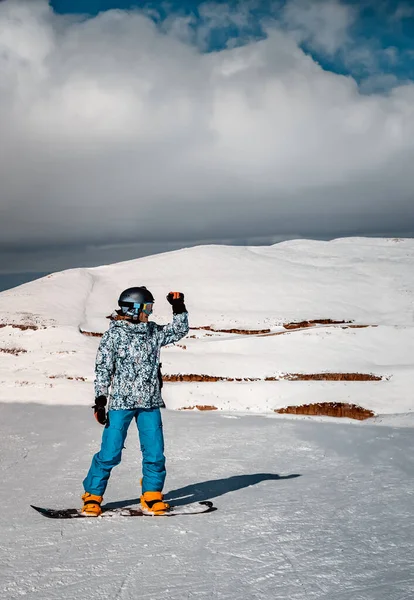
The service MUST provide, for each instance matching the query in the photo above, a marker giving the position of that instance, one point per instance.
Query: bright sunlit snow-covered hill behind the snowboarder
(361, 291)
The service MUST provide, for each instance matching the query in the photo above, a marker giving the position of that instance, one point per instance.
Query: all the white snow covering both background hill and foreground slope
(309, 508)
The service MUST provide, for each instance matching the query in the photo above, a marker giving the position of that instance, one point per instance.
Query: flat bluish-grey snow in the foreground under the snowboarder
(308, 510)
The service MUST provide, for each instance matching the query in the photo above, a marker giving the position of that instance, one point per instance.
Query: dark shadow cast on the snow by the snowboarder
(207, 490)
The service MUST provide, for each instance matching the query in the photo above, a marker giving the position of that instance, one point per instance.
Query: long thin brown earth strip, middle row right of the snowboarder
(192, 377)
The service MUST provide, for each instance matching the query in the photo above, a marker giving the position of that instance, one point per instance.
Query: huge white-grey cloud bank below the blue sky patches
(113, 130)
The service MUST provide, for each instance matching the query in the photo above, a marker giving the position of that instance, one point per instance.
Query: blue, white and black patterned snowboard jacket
(128, 360)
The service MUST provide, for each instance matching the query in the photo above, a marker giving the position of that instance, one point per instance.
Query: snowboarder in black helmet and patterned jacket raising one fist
(128, 362)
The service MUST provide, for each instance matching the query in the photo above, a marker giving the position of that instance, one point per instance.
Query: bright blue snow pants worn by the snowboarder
(151, 439)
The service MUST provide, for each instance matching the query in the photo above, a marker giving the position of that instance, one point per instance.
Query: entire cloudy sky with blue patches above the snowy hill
(129, 131)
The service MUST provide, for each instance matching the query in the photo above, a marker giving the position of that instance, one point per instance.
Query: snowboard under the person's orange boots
(75, 513)
